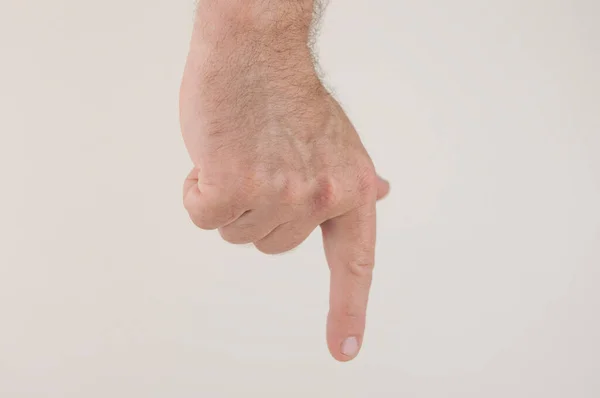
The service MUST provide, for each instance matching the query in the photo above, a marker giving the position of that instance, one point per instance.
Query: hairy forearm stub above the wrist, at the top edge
(237, 41)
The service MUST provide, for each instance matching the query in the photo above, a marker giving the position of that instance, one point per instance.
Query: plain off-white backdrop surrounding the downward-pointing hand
(485, 115)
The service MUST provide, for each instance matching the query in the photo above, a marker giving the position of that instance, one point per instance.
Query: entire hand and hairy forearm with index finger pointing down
(274, 155)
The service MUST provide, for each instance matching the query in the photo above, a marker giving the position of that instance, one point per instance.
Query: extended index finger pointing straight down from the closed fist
(349, 242)
